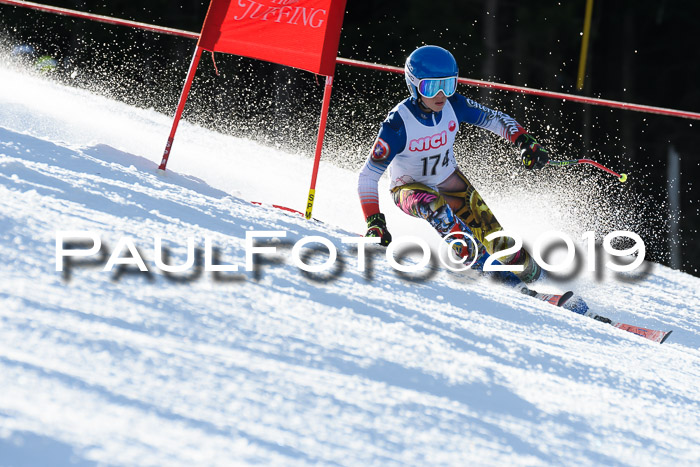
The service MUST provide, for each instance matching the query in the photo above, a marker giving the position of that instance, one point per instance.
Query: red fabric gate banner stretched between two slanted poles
(298, 33)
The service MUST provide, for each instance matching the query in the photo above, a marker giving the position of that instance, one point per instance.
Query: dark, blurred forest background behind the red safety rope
(642, 51)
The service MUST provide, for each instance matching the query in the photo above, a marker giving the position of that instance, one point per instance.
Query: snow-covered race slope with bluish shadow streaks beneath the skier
(283, 367)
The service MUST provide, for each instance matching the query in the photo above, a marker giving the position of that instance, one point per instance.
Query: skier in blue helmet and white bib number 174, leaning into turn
(416, 143)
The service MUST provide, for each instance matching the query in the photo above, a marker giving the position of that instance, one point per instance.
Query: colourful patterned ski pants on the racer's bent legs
(418, 200)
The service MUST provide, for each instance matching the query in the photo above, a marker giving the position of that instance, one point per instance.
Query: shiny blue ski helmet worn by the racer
(429, 61)
